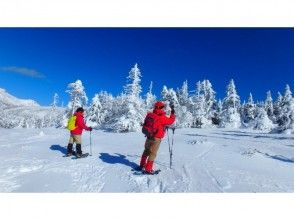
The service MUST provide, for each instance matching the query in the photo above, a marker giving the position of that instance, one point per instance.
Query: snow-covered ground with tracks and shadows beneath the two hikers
(205, 160)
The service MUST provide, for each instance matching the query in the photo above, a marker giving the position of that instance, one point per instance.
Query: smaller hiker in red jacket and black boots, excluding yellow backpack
(76, 134)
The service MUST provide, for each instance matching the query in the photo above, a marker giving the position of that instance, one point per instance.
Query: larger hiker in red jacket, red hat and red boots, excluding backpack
(152, 144)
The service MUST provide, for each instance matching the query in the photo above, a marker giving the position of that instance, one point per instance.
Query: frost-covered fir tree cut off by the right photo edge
(286, 120)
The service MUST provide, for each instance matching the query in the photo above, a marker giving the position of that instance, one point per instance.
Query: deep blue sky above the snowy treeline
(37, 62)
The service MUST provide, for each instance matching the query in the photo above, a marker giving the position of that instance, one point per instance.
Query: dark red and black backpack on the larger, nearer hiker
(150, 126)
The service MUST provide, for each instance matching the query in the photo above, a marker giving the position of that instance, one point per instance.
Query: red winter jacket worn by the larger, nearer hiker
(163, 121)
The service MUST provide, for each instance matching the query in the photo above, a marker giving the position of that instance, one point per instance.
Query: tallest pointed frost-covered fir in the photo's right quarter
(230, 116)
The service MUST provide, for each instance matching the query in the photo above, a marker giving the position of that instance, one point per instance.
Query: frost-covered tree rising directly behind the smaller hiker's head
(78, 97)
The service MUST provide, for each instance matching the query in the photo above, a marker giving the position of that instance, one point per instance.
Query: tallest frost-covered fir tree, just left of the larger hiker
(131, 113)
